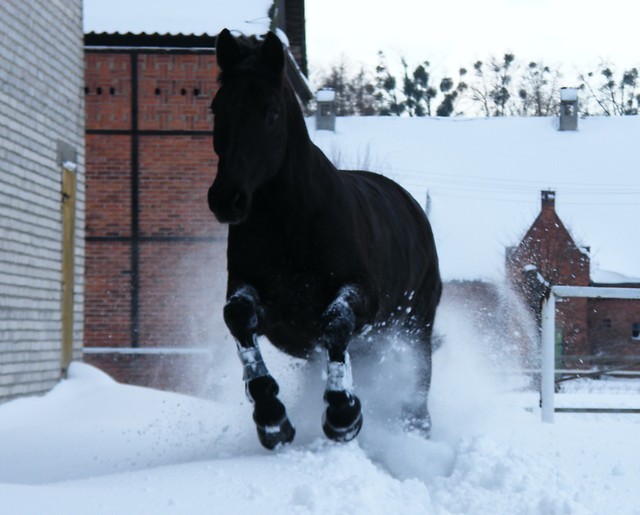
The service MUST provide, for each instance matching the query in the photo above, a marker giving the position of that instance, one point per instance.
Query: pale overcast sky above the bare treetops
(450, 34)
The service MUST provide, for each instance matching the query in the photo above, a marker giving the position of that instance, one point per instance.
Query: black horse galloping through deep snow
(315, 255)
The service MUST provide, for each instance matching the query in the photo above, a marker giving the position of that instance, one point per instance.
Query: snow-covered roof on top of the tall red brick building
(139, 16)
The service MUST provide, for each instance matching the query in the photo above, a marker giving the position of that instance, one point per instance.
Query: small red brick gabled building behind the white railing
(588, 330)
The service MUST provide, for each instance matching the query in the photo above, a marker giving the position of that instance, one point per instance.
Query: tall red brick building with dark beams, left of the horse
(156, 266)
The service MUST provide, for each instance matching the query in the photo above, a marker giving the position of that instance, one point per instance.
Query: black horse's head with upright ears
(249, 132)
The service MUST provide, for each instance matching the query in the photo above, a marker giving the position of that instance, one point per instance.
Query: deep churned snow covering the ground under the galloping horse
(93, 446)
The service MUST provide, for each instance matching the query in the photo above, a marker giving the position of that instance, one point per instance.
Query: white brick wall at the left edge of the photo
(41, 103)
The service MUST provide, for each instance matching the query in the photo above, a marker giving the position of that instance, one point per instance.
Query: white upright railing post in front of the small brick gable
(547, 382)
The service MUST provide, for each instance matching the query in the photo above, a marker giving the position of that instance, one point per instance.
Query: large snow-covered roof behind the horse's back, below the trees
(484, 177)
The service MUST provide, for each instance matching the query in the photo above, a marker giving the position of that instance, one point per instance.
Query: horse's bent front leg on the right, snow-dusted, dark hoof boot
(342, 419)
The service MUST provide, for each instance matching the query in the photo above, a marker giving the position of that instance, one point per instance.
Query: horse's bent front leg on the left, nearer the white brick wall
(242, 316)
